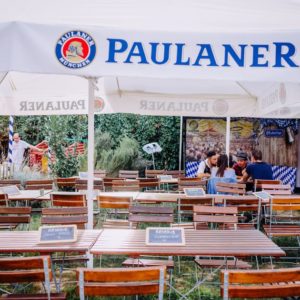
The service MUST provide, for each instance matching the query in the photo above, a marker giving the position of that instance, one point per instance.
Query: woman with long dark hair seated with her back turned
(221, 173)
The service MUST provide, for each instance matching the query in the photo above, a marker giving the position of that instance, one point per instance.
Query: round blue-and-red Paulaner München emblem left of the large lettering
(75, 49)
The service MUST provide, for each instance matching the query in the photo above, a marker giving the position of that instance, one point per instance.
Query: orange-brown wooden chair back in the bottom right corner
(260, 283)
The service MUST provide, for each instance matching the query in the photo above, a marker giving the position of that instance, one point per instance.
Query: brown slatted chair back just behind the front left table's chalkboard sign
(65, 216)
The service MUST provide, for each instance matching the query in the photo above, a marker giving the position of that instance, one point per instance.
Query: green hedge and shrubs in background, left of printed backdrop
(62, 131)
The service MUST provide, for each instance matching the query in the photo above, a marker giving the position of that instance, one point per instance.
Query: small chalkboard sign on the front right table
(165, 236)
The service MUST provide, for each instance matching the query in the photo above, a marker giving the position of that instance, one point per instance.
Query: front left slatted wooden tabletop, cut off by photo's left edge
(28, 241)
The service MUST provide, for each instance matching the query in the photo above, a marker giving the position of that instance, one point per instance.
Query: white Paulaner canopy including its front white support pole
(193, 58)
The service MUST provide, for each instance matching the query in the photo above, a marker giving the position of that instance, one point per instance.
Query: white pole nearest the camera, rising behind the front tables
(90, 195)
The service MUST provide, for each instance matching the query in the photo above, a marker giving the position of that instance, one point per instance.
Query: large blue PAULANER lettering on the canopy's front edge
(275, 55)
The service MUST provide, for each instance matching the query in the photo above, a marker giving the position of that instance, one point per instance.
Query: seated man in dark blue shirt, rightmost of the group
(257, 169)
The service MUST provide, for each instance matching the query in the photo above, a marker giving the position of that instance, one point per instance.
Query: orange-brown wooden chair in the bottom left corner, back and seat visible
(28, 270)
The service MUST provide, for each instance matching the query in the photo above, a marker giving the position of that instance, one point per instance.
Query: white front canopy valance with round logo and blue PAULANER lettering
(97, 51)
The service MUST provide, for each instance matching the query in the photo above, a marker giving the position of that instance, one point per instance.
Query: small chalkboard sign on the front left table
(55, 234)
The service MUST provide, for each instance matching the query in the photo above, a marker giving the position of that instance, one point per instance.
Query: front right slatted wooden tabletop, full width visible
(198, 242)
